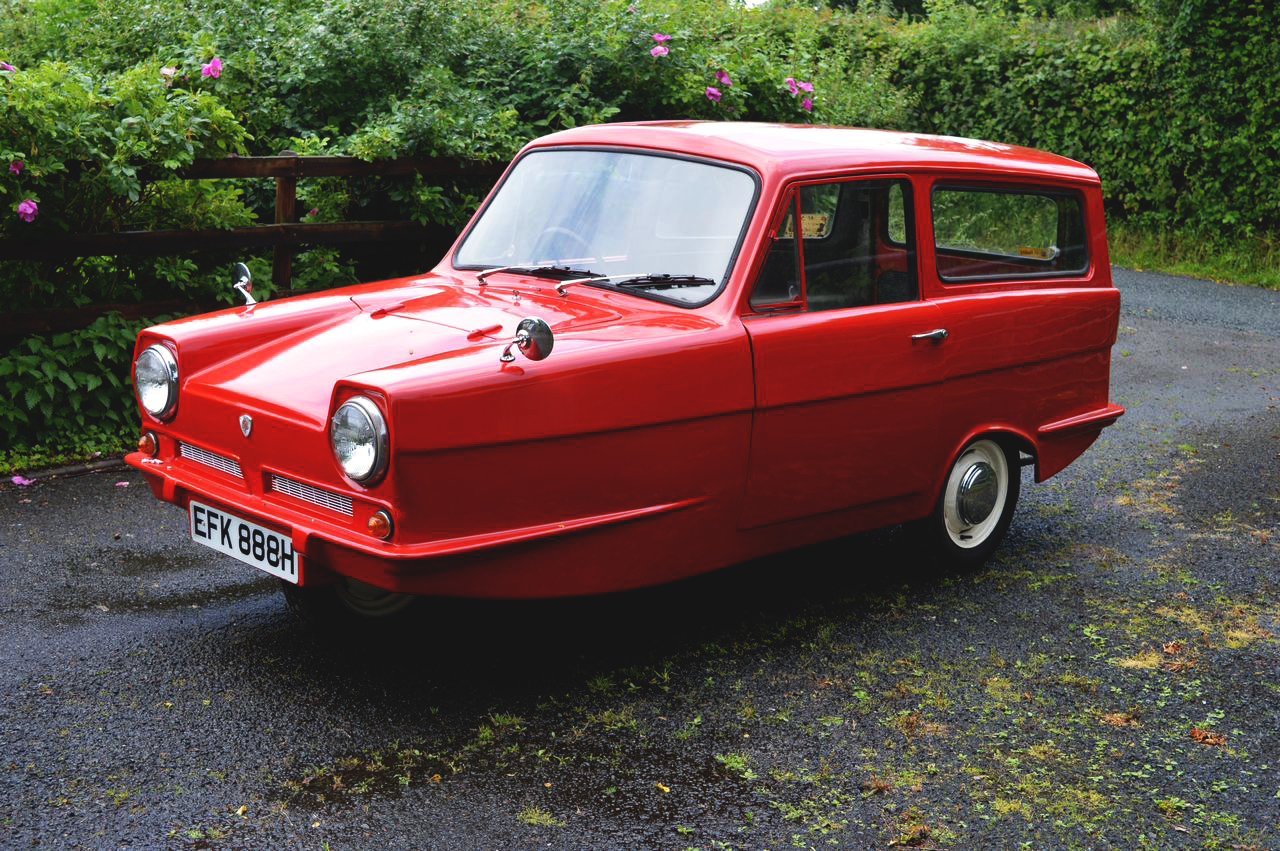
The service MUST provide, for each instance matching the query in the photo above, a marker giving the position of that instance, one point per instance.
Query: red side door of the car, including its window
(847, 358)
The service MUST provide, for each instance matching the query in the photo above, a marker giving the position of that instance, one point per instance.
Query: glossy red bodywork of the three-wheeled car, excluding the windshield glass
(661, 438)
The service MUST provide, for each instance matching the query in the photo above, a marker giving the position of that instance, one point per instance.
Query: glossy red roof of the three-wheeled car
(799, 149)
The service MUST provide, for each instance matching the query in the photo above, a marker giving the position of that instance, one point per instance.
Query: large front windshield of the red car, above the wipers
(662, 226)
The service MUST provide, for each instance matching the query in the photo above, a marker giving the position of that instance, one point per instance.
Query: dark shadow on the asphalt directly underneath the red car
(552, 646)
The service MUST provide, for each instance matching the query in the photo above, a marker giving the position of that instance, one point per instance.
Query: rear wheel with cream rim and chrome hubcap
(977, 504)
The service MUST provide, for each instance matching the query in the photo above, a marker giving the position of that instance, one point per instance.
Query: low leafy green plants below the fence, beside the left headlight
(70, 383)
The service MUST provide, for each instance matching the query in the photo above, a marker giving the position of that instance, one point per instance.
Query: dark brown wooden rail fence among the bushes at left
(284, 236)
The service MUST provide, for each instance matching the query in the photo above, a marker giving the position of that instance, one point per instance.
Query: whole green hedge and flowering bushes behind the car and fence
(1172, 102)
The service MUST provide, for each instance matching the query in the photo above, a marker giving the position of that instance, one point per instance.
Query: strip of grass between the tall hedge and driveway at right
(1252, 260)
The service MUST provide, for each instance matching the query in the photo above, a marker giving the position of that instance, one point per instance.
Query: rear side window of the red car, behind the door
(991, 235)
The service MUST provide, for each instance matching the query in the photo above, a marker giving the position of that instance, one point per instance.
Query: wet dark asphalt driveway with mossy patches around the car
(158, 696)
